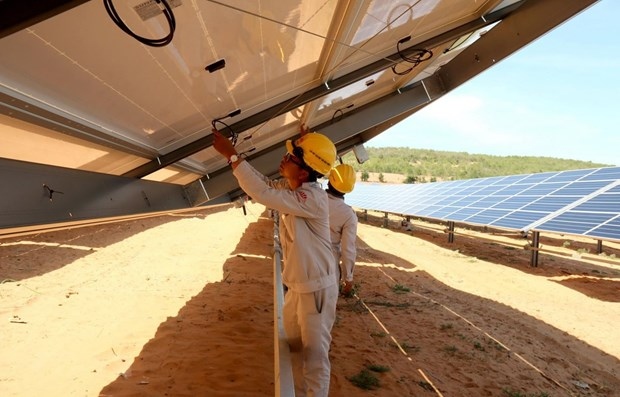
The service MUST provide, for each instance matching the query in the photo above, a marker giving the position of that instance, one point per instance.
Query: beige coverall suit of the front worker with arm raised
(310, 272)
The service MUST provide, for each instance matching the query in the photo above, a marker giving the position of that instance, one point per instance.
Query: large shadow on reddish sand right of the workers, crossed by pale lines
(424, 334)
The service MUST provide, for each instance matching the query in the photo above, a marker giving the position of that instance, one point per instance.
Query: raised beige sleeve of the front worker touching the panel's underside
(257, 186)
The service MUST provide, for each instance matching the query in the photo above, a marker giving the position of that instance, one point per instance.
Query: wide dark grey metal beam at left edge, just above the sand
(35, 194)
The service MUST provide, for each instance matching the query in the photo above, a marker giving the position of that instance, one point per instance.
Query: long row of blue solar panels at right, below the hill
(578, 202)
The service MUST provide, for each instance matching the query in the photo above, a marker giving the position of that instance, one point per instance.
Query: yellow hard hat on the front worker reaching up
(316, 150)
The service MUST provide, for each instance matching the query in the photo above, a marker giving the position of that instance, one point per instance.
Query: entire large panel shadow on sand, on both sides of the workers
(221, 341)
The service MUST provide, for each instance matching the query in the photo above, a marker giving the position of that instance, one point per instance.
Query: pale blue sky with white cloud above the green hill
(557, 97)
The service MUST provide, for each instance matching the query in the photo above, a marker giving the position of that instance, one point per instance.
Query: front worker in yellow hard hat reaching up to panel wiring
(309, 268)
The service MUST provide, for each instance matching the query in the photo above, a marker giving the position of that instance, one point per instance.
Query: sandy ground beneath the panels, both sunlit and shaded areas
(182, 305)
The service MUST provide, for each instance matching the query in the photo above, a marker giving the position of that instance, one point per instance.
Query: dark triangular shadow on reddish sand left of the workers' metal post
(221, 341)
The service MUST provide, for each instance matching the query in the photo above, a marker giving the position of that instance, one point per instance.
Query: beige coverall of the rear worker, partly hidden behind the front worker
(343, 231)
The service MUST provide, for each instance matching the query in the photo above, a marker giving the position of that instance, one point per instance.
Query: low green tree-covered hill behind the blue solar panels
(424, 165)
